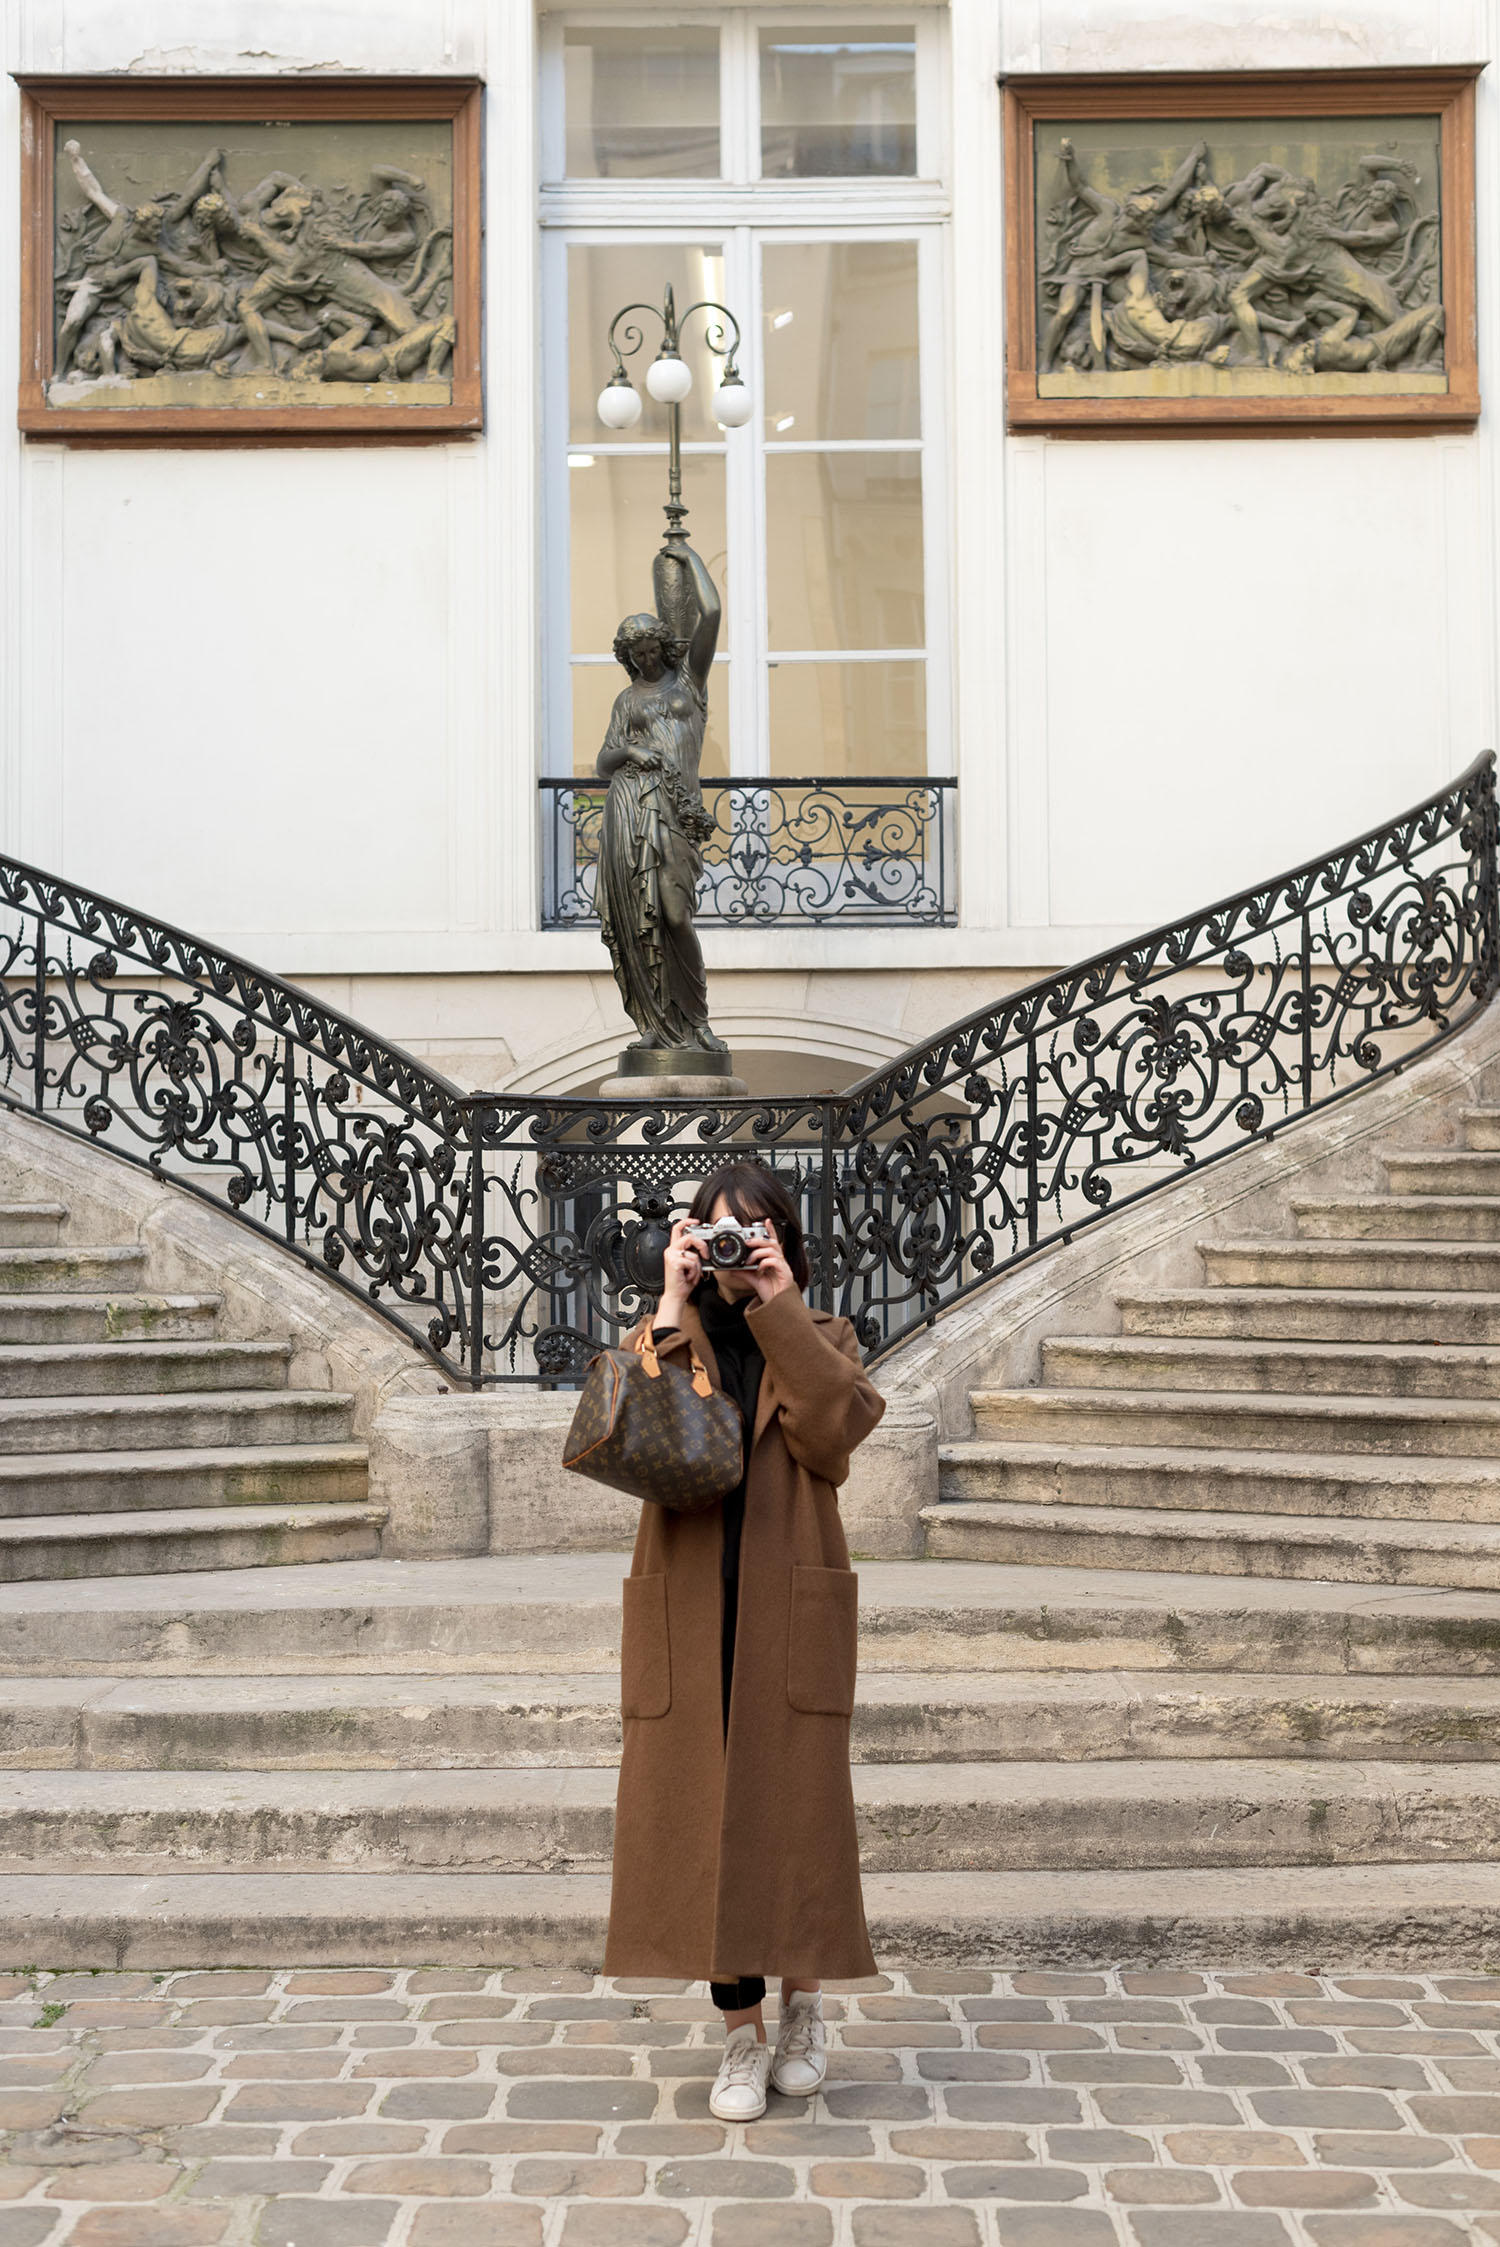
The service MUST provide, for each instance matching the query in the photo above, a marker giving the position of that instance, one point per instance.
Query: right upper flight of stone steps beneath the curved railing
(1326, 1408)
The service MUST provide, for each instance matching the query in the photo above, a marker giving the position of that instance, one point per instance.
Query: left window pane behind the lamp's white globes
(603, 280)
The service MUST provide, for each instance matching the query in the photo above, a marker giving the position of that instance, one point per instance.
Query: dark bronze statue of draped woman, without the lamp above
(655, 821)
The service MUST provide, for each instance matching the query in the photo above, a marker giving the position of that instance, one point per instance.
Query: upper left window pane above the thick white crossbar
(641, 104)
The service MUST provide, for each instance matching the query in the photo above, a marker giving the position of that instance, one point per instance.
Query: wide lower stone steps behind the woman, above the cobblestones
(417, 1761)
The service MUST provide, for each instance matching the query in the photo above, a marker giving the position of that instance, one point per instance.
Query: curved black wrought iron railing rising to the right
(1074, 1095)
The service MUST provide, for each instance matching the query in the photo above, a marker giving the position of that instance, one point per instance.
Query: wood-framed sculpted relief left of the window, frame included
(181, 286)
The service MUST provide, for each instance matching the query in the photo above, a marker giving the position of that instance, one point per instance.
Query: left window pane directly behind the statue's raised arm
(616, 525)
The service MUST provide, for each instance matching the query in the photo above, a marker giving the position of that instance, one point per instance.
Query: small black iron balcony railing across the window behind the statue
(872, 853)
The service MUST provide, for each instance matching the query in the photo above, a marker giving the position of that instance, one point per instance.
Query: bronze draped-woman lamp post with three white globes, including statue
(655, 821)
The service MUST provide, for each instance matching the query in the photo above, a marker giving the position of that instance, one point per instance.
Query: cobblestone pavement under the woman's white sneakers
(529, 2109)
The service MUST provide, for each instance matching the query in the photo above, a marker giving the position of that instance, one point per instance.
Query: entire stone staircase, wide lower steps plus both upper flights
(1205, 1662)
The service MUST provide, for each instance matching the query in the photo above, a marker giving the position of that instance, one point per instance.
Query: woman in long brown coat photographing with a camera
(735, 1844)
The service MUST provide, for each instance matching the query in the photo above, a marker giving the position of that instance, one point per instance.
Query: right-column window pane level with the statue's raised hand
(845, 549)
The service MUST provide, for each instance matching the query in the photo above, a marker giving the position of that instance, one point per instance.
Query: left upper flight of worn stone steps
(134, 1441)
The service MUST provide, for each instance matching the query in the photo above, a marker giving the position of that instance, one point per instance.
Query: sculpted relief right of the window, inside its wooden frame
(1245, 260)
